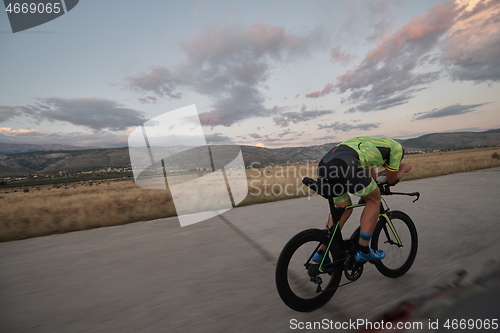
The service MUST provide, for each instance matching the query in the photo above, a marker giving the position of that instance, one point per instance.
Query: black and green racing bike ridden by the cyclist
(305, 285)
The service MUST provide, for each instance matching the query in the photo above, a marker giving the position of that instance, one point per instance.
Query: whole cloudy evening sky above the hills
(267, 73)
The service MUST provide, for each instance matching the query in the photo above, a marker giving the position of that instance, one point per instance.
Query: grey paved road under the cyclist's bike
(218, 275)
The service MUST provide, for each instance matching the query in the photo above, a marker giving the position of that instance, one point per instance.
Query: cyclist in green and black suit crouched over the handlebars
(350, 167)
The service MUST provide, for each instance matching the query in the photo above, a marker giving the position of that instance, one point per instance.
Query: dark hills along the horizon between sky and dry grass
(55, 158)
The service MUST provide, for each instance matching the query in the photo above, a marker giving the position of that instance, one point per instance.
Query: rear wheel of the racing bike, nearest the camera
(292, 279)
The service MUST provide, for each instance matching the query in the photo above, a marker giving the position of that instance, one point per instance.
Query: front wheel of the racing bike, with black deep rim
(398, 259)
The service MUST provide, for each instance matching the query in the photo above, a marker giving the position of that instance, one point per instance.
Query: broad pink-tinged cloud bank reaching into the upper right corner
(395, 70)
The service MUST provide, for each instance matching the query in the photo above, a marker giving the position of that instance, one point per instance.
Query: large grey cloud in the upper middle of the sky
(228, 64)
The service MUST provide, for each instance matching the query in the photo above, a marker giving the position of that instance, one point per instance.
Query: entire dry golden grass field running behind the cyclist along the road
(44, 210)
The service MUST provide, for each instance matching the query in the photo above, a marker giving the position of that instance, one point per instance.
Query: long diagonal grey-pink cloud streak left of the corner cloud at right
(390, 68)
